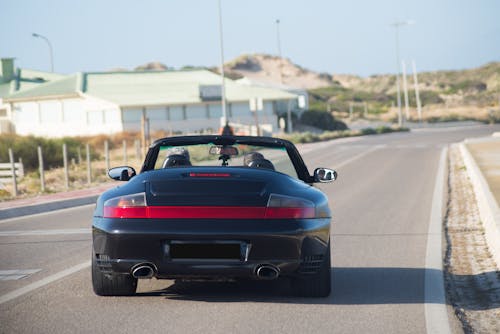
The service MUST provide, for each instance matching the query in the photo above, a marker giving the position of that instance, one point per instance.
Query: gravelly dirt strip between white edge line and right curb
(471, 275)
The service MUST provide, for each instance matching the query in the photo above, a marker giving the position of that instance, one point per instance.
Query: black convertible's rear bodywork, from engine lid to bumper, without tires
(212, 223)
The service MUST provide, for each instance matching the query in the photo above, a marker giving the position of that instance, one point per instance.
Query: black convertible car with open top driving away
(214, 207)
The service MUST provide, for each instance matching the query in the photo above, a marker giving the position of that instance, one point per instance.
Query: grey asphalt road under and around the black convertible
(382, 207)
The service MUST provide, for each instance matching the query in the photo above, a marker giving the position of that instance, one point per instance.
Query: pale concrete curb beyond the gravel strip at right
(488, 207)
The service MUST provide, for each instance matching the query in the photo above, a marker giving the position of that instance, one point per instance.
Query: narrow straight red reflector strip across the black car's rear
(208, 212)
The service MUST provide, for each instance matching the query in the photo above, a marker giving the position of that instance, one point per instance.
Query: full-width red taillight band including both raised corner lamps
(279, 207)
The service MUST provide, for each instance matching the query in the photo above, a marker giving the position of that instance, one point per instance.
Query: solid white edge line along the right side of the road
(436, 315)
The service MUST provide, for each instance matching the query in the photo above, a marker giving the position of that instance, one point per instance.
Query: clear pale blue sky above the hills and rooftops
(329, 36)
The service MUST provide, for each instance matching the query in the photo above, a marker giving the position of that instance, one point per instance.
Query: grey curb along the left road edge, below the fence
(46, 207)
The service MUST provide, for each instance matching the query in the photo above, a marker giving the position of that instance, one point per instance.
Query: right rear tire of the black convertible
(315, 285)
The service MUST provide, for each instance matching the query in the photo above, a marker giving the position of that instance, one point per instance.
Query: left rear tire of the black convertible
(110, 284)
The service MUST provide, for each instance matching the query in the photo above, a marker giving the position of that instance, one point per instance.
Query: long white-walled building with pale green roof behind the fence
(188, 101)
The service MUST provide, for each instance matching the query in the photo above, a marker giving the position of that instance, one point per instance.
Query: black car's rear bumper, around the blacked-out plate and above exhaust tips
(292, 246)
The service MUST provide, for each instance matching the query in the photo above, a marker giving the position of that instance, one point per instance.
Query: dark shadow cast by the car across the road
(350, 286)
